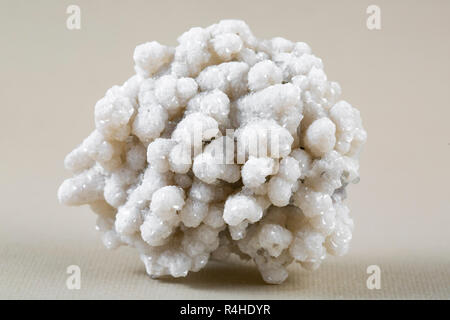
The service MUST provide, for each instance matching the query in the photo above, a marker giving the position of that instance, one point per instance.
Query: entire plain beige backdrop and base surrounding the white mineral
(399, 77)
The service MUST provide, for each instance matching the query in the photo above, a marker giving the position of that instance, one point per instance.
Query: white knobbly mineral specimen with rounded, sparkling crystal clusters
(172, 169)
